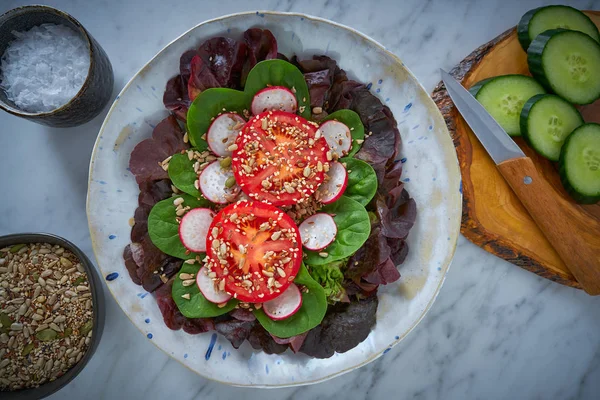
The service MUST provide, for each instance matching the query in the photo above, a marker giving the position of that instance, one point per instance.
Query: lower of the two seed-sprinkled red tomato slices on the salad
(255, 249)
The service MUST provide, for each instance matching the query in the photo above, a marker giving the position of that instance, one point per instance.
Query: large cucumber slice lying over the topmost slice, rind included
(568, 63)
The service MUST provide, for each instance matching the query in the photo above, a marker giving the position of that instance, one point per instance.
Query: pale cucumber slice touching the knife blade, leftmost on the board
(504, 96)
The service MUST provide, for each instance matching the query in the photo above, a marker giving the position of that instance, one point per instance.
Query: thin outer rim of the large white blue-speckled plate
(454, 235)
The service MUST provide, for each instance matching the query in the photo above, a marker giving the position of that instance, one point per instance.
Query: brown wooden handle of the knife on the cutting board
(578, 247)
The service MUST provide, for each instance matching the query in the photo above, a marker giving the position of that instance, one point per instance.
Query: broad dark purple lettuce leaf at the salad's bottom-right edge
(345, 325)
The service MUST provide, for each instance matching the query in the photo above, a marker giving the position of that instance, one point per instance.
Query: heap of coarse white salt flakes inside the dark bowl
(44, 67)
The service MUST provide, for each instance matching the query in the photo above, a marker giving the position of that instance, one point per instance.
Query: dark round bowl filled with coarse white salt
(75, 94)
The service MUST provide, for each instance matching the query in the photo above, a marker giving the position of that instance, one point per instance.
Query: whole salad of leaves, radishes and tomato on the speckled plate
(271, 206)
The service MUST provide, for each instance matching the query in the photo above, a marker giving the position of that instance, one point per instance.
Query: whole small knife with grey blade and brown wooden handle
(575, 244)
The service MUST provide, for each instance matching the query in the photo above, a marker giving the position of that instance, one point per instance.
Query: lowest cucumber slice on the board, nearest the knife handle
(580, 164)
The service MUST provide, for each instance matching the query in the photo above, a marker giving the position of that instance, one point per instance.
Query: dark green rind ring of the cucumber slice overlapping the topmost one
(535, 62)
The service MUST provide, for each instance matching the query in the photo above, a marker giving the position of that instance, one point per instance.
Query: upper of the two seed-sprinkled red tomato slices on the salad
(280, 158)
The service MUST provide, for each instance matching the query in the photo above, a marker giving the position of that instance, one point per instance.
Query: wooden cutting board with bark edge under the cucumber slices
(493, 217)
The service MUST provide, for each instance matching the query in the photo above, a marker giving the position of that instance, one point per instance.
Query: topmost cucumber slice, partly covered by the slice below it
(542, 19)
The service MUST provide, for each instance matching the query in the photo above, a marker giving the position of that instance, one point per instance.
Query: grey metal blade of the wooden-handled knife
(494, 139)
